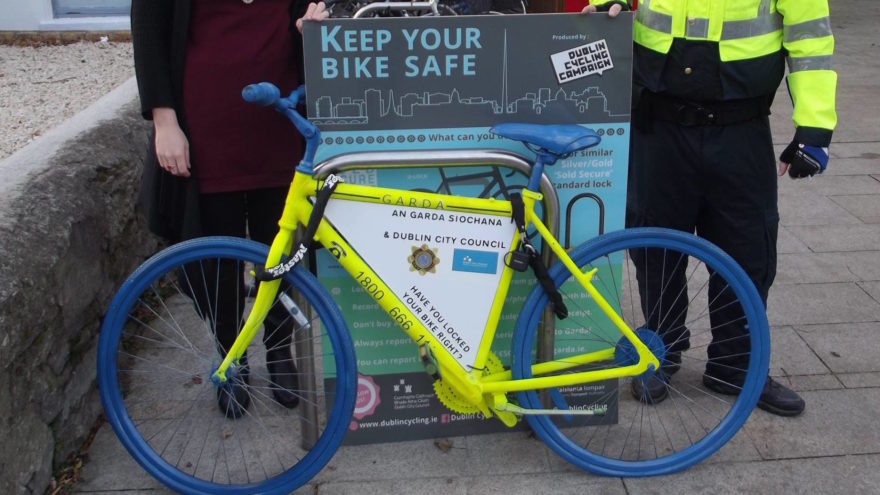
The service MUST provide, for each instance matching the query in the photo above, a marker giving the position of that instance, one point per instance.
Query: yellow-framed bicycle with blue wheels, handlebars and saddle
(159, 368)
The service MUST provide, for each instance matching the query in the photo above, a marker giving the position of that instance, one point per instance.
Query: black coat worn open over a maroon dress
(159, 30)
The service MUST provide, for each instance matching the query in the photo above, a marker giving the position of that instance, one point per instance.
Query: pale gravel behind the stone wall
(41, 86)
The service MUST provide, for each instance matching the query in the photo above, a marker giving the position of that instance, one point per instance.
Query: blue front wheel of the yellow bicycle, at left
(159, 346)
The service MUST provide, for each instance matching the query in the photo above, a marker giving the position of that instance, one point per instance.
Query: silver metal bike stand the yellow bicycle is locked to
(424, 159)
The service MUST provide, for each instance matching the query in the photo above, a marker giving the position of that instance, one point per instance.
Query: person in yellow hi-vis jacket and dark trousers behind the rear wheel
(702, 160)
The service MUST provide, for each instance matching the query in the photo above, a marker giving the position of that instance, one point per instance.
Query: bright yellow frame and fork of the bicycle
(471, 384)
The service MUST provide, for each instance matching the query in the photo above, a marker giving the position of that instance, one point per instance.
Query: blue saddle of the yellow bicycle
(559, 139)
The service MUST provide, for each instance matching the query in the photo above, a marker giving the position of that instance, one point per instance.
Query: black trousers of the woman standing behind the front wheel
(221, 294)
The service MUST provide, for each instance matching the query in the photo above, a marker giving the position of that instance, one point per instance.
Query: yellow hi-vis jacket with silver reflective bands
(752, 35)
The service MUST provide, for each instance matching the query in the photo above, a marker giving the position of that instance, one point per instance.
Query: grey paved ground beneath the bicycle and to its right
(825, 317)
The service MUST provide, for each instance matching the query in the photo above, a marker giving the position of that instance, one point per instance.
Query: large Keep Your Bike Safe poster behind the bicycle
(441, 83)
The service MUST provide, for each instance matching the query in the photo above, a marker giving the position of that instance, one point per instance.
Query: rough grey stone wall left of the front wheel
(69, 234)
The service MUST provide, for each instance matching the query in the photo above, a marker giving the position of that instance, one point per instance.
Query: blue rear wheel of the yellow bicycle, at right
(698, 312)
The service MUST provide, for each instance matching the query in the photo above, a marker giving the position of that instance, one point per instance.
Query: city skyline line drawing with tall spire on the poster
(390, 108)
